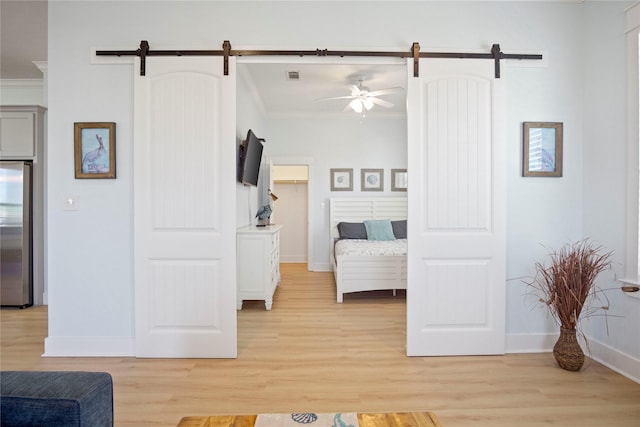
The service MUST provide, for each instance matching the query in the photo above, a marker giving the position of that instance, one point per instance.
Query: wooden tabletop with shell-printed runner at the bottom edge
(404, 419)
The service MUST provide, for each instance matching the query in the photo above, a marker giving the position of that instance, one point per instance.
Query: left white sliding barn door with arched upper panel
(184, 208)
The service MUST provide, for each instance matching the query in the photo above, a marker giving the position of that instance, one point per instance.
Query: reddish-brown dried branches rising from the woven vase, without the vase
(568, 283)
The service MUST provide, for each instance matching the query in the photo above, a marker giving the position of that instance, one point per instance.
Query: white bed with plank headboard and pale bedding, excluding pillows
(367, 272)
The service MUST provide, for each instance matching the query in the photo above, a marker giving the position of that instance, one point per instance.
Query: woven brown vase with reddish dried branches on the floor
(567, 287)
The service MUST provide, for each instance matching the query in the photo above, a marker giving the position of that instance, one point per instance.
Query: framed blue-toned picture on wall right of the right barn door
(542, 149)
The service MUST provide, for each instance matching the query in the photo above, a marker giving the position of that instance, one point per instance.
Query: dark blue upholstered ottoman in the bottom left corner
(30, 398)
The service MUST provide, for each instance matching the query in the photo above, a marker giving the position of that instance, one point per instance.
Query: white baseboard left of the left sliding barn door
(89, 347)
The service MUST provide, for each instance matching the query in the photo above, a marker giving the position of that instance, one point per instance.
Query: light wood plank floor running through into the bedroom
(311, 354)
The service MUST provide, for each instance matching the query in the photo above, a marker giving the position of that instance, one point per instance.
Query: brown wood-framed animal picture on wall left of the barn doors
(95, 150)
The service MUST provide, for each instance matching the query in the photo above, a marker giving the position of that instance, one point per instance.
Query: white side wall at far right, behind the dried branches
(605, 173)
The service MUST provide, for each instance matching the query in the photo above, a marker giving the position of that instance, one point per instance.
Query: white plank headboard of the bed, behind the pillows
(352, 209)
